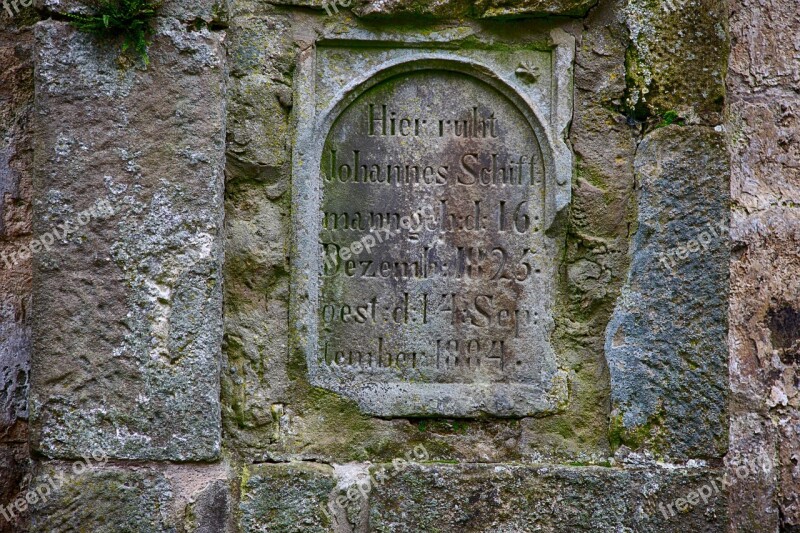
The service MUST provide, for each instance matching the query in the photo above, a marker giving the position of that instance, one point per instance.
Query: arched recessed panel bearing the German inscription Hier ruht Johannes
(435, 264)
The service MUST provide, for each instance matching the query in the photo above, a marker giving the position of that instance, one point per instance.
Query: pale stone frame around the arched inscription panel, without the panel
(548, 119)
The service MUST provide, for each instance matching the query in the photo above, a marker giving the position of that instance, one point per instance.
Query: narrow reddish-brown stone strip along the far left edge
(16, 161)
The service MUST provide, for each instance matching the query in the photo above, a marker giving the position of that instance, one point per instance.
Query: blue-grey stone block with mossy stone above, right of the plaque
(665, 343)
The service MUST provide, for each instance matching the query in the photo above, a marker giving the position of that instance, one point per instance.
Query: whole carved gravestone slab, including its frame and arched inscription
(425, 182)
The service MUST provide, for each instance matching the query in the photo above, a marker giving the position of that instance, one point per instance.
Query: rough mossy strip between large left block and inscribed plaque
(256, 230)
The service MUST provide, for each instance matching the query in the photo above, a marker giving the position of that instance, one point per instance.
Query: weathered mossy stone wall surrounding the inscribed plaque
(154, 348)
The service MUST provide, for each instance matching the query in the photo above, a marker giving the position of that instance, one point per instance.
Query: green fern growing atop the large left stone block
(127, 20)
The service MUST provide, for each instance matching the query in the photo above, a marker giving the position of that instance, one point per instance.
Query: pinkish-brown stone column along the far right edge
(764, 109)
